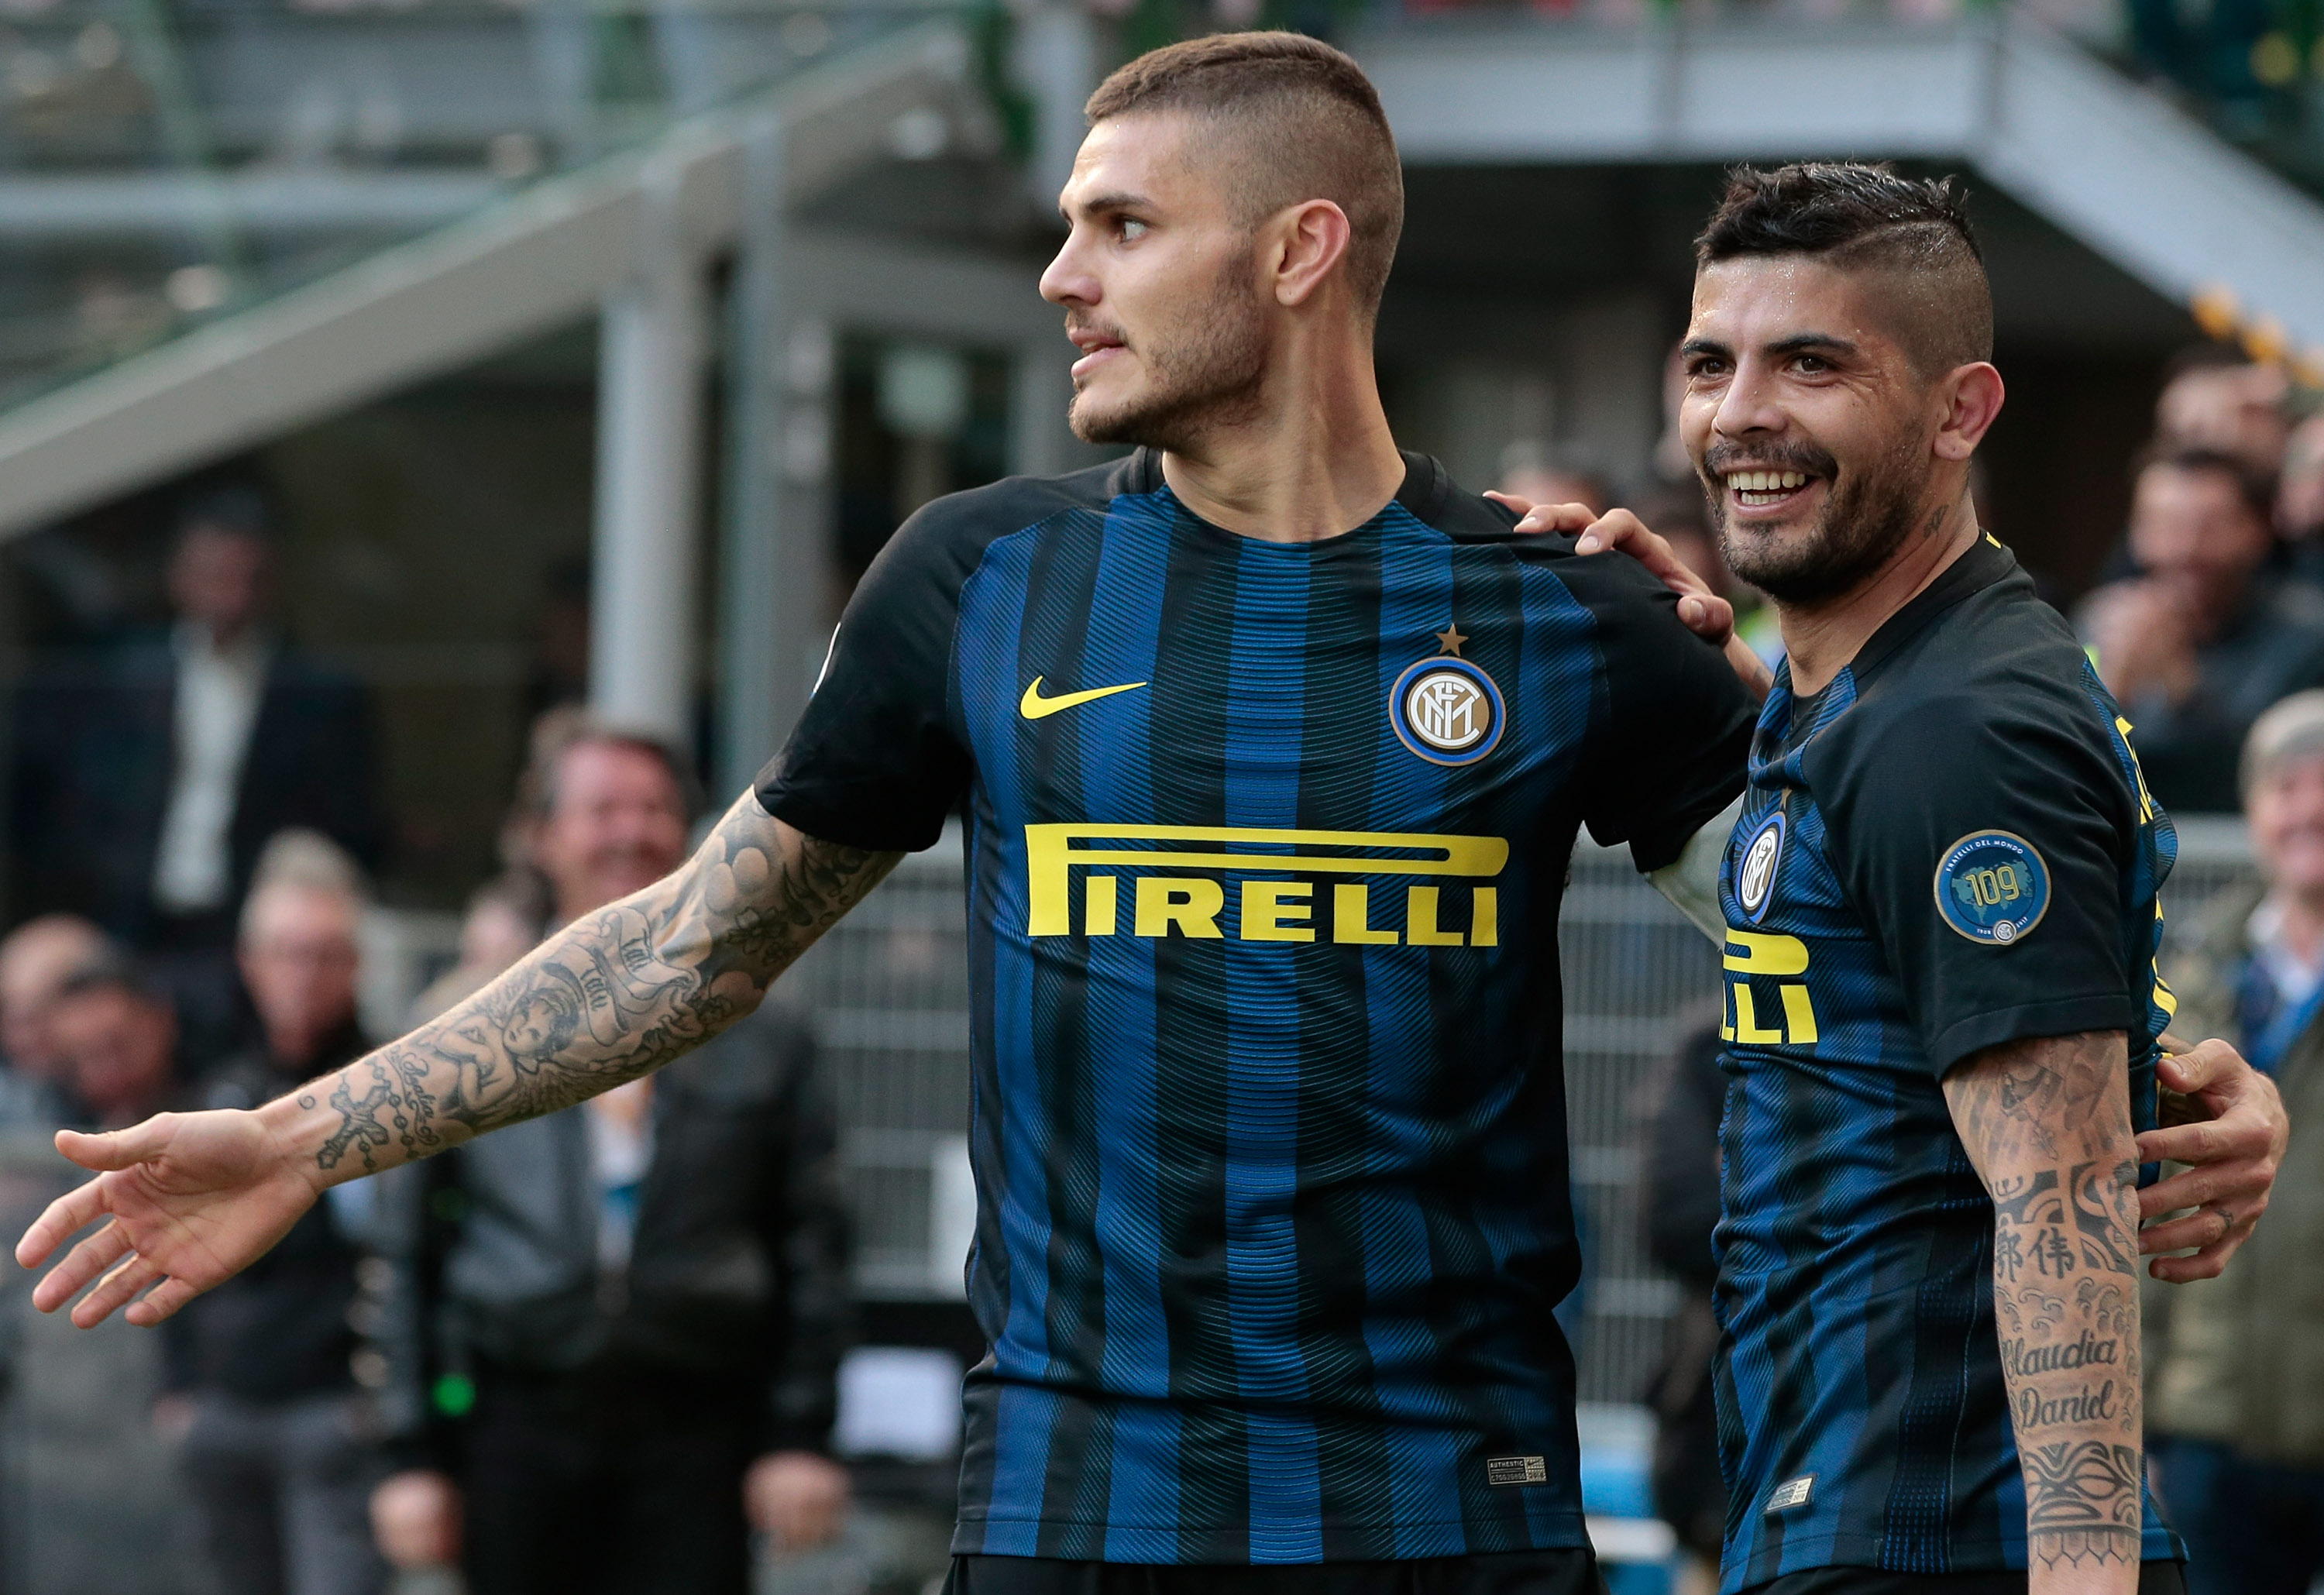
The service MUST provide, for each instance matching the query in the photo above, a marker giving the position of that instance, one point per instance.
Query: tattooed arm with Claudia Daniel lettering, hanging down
(2049, 1126)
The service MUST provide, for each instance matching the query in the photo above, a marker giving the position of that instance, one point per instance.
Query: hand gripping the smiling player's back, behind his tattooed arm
(2230, 1129)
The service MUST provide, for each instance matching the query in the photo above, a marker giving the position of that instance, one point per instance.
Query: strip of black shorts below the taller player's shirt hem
(1516, 1573)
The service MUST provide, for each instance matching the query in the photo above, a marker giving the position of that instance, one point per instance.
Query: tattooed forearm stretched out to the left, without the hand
(612, 996)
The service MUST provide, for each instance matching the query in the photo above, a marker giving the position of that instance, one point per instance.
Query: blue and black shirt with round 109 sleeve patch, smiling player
(1946, 850)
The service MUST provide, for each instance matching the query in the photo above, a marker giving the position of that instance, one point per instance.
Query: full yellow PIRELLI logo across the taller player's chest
(1198, 882)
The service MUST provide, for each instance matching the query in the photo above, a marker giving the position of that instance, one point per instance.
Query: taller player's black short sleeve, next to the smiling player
(1679, 722)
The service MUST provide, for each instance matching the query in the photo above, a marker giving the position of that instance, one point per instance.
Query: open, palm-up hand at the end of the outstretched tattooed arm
(194, 1199)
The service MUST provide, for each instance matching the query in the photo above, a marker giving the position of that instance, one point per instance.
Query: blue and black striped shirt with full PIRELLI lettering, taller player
(1265, 859)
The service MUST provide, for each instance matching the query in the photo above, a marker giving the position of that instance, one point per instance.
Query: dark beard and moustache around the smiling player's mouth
(1858, 531)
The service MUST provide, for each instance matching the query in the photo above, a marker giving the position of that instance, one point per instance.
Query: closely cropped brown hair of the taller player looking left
(1303, 124)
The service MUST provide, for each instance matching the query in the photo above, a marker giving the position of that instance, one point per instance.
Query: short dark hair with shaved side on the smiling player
(1863, 217)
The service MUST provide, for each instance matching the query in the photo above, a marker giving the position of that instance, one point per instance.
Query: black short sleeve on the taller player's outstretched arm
(875, 761)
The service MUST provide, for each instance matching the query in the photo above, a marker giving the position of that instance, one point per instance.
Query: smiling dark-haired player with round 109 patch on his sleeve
(1942, 922)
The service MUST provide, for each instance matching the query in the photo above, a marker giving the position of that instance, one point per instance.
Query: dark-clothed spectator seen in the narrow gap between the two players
(1681, 1213)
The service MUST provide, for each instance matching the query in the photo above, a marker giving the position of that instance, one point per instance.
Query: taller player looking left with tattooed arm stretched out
(1272, 748)
